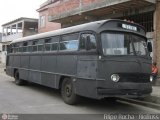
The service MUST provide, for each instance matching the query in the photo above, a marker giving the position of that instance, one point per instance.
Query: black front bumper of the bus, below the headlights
(134, 91)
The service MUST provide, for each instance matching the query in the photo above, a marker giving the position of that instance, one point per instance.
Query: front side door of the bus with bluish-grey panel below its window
(86, 64)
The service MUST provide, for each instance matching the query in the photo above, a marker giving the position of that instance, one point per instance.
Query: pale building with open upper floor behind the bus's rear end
(15, 29)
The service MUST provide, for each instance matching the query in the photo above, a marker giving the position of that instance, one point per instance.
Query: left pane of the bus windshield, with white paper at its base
(116, 44)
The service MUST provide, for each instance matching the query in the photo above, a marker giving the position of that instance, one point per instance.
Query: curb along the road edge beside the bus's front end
(144, 102)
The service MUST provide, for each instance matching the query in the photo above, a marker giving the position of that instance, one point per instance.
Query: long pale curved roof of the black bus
(91, 26)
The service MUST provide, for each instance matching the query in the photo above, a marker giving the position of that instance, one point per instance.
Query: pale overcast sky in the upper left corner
(13, 9)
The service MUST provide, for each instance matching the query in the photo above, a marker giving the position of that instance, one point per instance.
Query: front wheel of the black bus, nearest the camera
(67, 92)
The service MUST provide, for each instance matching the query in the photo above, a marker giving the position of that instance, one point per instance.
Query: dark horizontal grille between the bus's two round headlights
(137, 78)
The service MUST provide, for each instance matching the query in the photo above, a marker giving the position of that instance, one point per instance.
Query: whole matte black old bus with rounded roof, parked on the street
(108, 58)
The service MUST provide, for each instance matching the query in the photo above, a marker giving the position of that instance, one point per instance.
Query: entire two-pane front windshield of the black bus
(123, 44)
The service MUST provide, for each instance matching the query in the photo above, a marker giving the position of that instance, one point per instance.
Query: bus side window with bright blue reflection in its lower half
(69, 42)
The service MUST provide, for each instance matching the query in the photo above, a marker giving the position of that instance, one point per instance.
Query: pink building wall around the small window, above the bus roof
(49, 26)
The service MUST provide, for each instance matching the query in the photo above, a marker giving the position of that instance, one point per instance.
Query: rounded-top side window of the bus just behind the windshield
(83, 39)
